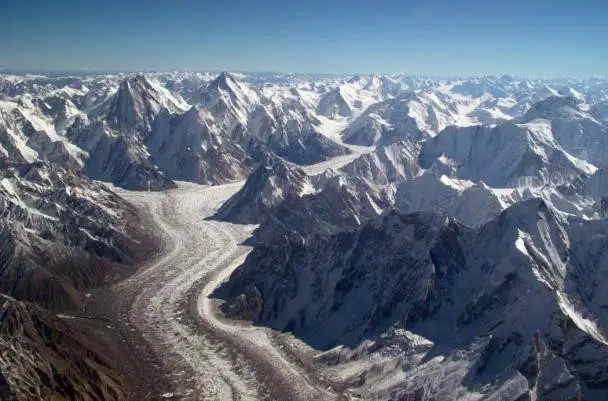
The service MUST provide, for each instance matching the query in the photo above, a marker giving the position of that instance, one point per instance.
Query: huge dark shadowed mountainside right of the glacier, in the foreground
(508, 309)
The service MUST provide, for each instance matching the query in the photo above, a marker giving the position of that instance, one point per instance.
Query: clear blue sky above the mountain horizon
(430, 37)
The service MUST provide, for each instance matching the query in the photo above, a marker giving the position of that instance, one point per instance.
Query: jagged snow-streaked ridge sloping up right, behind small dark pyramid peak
(342, 199)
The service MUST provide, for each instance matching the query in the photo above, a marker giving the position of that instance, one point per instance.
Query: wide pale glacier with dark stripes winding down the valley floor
(180, 348)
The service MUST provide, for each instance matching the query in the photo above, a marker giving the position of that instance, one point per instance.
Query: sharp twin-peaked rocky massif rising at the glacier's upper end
(140, 139)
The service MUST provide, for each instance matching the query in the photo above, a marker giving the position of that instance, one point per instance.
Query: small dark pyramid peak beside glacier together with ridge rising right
(286, 201)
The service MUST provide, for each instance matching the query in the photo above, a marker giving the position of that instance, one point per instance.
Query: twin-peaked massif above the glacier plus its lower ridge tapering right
(142, 135)
